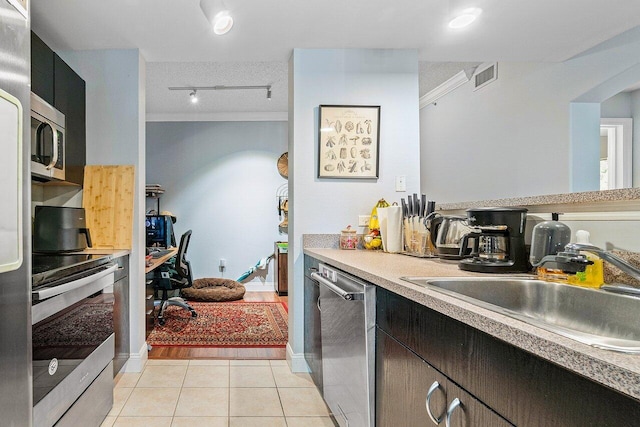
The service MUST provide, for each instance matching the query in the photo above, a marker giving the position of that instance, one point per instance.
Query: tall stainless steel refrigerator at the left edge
(15, 217)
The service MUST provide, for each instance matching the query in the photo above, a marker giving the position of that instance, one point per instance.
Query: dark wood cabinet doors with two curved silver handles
(403, 382)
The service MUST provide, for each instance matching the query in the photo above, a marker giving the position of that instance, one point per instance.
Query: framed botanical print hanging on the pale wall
(348, 141)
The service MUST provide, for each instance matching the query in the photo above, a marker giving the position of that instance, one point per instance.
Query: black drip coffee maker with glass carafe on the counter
(498, 241)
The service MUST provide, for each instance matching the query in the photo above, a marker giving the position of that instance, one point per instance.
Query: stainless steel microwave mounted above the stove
(47, 141)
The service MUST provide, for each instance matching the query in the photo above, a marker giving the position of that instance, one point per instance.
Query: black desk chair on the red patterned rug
(174, 275)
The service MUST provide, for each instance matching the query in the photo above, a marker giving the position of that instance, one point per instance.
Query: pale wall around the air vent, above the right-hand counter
(513, 137)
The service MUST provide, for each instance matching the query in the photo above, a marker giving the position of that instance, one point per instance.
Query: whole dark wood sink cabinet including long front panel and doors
(522, 388)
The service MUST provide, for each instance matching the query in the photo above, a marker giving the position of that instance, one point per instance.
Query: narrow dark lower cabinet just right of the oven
(121, 314)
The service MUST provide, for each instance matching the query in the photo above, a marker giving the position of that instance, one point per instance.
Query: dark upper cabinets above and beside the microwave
(55, 82)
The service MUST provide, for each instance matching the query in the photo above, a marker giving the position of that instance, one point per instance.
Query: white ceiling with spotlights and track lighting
(181, 50)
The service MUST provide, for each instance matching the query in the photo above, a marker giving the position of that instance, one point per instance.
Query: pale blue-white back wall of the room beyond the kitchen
(220, 180)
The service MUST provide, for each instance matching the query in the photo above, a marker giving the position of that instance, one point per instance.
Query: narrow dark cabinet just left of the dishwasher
(312, 338)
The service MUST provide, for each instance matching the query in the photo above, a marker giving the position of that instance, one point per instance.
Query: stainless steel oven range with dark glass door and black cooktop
(73, 340)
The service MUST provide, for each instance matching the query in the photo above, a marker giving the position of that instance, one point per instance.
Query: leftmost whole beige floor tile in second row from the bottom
(155, 401)
